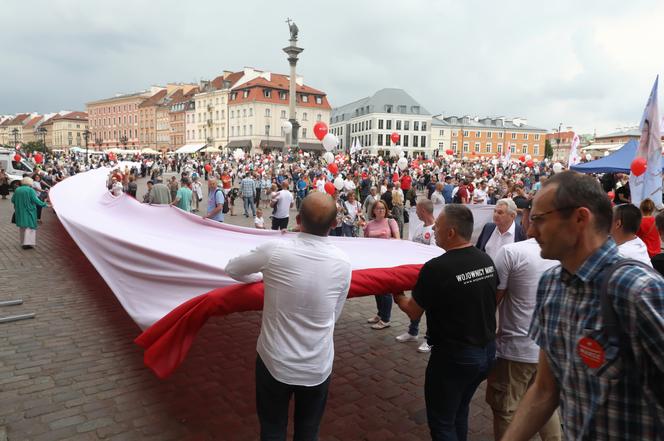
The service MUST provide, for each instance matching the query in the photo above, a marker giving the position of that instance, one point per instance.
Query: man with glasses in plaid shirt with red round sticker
(605, 392)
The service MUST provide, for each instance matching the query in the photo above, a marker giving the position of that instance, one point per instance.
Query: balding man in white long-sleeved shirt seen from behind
(295, 346)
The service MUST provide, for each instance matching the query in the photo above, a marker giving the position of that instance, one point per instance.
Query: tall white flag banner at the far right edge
(649, 184)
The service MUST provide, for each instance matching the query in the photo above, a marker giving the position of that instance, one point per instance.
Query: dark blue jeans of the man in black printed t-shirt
(452, 377)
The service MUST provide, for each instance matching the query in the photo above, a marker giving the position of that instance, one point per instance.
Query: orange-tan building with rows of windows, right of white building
(489, 137)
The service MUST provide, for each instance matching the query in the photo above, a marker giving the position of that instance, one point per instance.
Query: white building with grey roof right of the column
(371, 121)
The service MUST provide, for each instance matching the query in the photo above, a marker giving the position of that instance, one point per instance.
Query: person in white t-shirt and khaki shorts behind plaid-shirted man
(519, 268)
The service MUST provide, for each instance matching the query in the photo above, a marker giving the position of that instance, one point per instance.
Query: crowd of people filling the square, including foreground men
(520, 306)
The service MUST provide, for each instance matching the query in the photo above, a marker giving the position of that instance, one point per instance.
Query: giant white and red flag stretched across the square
(166, 267)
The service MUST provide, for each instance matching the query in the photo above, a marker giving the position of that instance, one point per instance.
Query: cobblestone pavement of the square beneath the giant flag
(73, 373)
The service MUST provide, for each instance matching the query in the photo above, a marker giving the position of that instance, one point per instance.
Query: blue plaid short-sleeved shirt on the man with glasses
(609, 402)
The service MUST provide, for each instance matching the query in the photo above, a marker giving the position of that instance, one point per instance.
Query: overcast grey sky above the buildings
(586, 64)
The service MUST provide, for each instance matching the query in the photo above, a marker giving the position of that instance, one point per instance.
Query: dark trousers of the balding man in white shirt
(273, 398)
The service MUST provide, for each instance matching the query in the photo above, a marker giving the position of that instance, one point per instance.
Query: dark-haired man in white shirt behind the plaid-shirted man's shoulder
(626, 222)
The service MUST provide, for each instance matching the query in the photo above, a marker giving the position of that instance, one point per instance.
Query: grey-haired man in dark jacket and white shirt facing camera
(504, 229)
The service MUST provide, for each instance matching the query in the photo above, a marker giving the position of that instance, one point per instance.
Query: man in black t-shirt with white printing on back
(458, 292)
